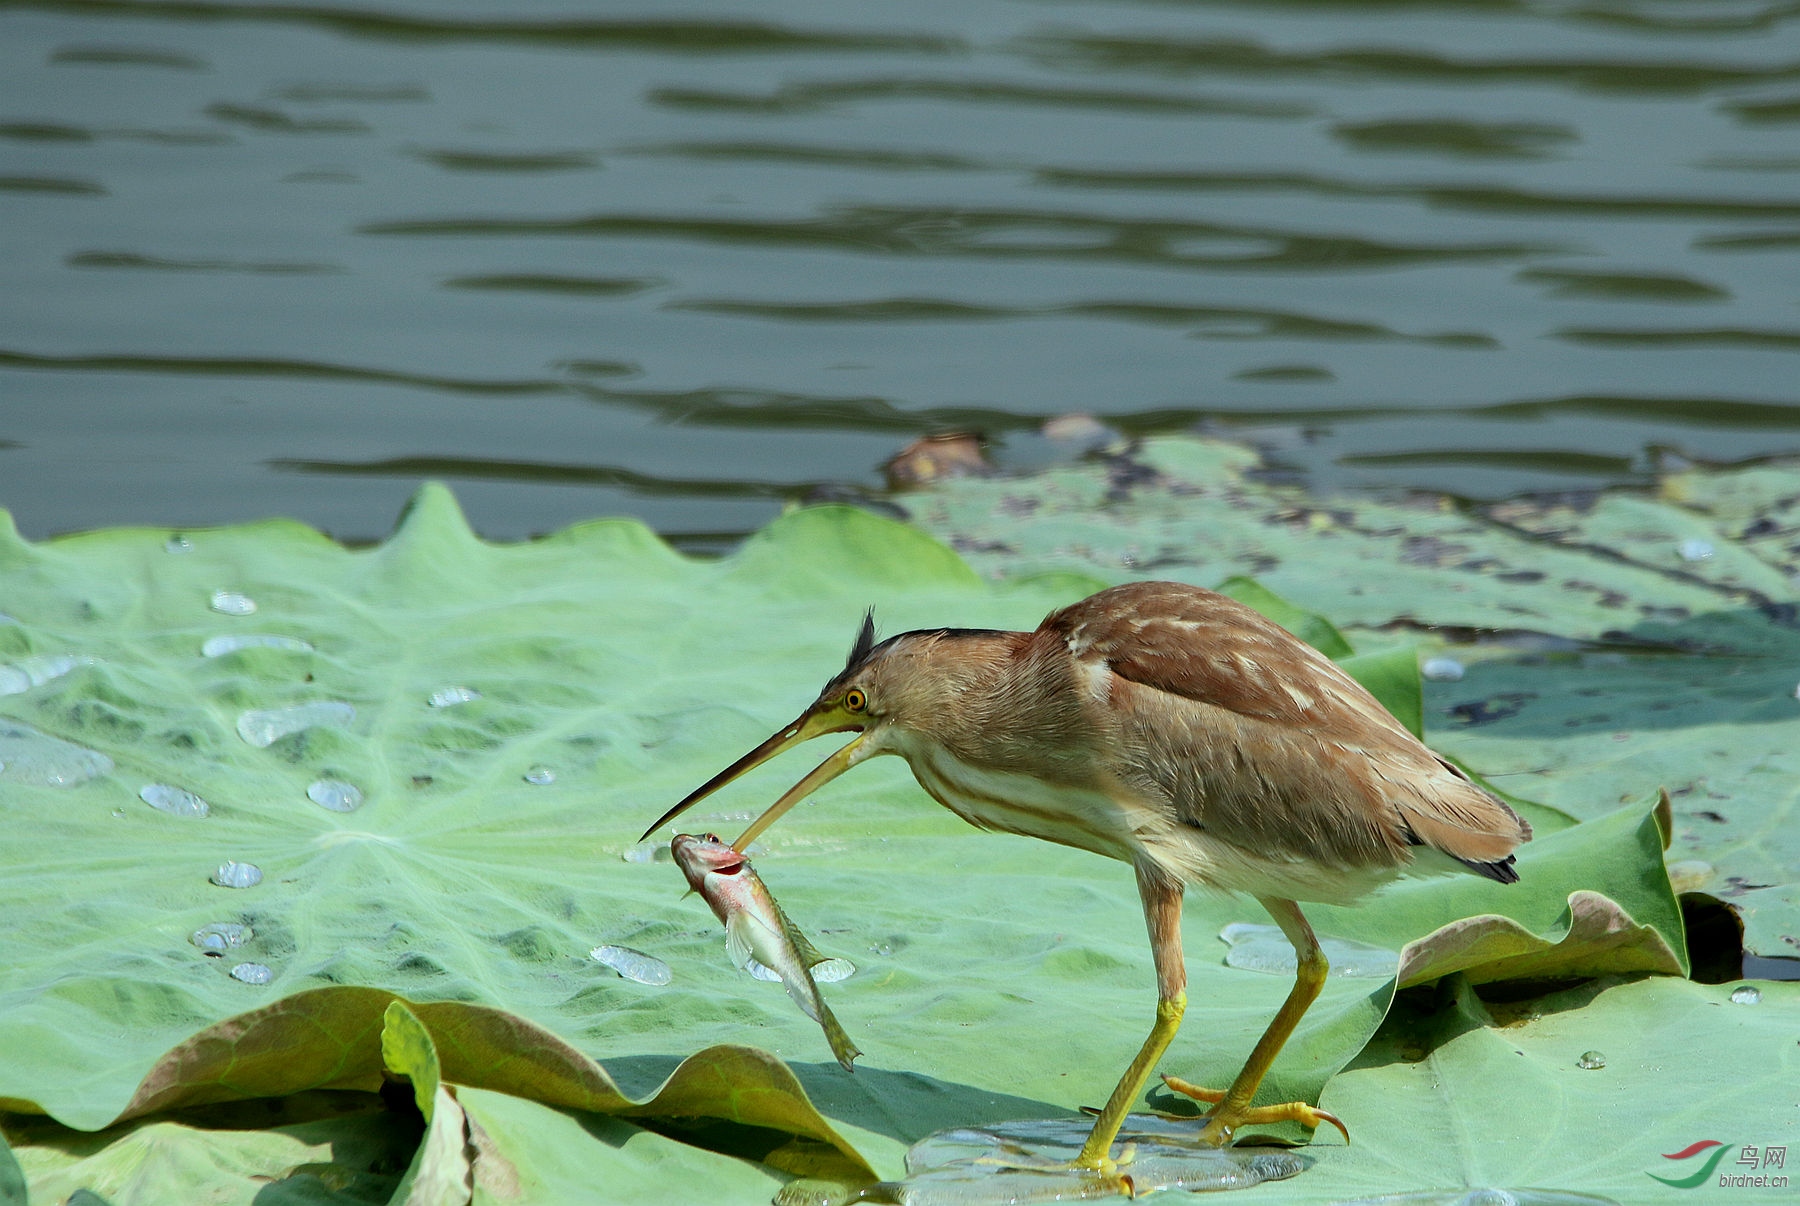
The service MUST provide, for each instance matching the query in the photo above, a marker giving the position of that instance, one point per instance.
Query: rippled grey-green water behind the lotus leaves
(687, 262)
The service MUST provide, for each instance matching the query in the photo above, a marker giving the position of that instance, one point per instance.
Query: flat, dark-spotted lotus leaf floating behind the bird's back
(1632, 642)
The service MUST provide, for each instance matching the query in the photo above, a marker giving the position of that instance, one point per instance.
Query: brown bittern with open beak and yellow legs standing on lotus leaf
(1183, 733)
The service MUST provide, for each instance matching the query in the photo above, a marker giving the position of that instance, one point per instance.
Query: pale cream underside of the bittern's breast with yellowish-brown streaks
(1021, 804)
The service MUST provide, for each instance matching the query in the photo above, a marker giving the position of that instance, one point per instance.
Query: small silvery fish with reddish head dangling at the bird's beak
(757, 933)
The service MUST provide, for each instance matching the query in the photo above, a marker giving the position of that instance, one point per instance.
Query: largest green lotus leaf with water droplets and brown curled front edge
(510, 719)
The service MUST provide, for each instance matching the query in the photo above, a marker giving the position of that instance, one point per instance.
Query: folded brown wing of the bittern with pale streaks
(1264, 742)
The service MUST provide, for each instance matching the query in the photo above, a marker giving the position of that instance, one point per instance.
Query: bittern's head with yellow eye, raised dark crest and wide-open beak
(904, 685)
